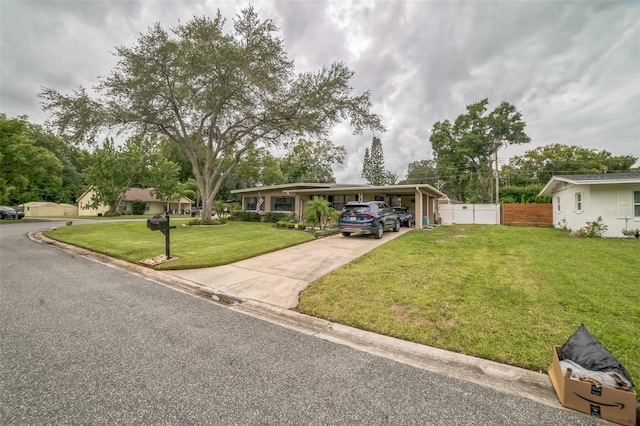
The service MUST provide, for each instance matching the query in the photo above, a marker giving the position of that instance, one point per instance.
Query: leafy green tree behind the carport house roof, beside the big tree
(311, 161)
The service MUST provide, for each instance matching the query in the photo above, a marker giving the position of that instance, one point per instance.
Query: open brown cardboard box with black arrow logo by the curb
(611, 404)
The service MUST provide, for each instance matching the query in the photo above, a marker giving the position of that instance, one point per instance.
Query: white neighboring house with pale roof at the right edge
(578, 199)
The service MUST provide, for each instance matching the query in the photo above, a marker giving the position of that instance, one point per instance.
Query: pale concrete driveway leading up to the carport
(278, 278)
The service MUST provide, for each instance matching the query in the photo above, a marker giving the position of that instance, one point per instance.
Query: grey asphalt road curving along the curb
(84, 343)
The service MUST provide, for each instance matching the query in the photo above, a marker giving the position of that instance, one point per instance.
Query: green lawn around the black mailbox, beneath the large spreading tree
(196, 247)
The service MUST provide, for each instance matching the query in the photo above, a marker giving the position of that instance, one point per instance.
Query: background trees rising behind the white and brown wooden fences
(465, 163)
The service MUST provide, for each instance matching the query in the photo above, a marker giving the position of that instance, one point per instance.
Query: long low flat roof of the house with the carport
(320, 188)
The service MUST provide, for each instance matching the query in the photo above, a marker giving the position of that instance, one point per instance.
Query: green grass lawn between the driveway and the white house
(502, 293)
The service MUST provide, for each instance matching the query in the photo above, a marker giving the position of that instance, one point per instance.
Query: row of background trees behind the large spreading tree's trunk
(38, 165)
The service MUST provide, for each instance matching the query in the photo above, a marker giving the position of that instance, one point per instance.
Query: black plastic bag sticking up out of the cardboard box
(585, 350)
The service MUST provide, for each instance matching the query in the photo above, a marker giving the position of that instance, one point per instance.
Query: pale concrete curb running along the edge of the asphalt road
(502, 377)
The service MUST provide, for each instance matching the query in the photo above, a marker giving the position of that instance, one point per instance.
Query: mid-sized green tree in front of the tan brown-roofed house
(138, 163)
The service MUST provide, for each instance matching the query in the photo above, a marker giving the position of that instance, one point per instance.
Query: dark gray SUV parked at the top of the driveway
(369, 217)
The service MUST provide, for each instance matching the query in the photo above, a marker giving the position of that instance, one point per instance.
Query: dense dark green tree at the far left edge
(24, 165)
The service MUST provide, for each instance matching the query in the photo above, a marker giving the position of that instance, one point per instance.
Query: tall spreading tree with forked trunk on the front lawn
(215, 95)
